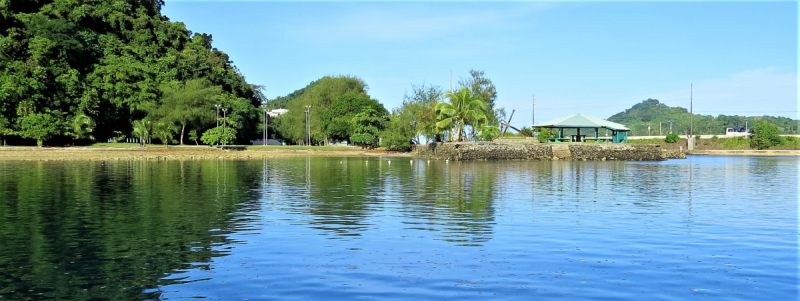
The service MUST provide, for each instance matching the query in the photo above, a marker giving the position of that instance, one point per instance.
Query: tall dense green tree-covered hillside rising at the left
(72, 70)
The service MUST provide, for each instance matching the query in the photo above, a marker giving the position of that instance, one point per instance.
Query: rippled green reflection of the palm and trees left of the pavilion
(455, 199)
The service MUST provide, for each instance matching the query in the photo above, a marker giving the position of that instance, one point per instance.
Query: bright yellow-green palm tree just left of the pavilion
(464, 109)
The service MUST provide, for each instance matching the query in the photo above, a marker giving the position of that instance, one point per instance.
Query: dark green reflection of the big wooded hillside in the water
(87, 230)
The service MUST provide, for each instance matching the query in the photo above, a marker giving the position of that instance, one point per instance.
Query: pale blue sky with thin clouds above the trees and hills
(595, 58)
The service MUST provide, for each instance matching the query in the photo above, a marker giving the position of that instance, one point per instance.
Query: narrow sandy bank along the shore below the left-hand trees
(203, 153)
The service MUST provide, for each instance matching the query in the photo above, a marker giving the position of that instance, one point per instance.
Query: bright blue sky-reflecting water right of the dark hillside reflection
(716, 227)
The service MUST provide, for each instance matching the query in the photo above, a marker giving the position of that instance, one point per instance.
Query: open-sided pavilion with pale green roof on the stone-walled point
(619, 132)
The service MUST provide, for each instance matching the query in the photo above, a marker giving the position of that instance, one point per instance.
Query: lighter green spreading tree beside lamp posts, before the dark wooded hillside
(188, 103)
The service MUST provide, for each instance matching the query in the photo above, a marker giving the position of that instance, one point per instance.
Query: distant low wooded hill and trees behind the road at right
(651, 112)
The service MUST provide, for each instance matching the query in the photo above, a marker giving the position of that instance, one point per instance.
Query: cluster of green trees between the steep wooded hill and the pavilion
(340, 109)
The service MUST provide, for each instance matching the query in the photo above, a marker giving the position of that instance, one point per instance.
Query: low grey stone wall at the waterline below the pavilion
(458, 151)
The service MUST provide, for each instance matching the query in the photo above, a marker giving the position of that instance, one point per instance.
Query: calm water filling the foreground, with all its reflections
(723, 228)
